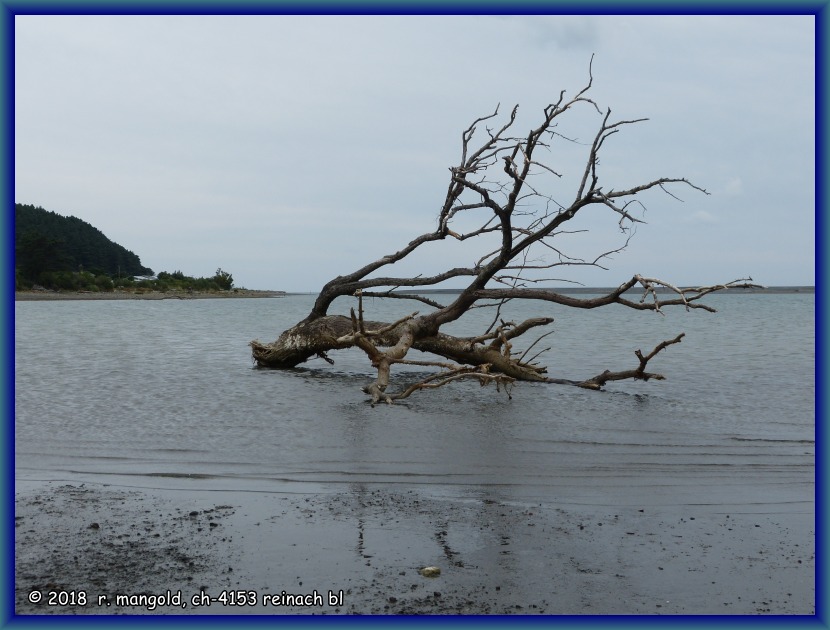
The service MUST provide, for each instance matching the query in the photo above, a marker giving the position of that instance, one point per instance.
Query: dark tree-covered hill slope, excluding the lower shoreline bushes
(46, 241)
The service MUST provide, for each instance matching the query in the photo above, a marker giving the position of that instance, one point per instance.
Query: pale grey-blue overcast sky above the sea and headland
(290, 149)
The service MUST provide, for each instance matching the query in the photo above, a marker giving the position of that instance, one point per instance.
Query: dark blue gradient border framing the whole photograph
(9, 8)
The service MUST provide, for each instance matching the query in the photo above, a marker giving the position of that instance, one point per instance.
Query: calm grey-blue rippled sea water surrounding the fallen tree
(164, 394)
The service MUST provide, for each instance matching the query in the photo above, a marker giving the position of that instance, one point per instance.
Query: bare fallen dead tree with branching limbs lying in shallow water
(498, 182)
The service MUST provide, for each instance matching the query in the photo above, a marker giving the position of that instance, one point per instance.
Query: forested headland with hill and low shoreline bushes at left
(59, 252)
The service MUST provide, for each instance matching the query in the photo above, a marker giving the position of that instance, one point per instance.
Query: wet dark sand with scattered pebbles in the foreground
(360, 549)
